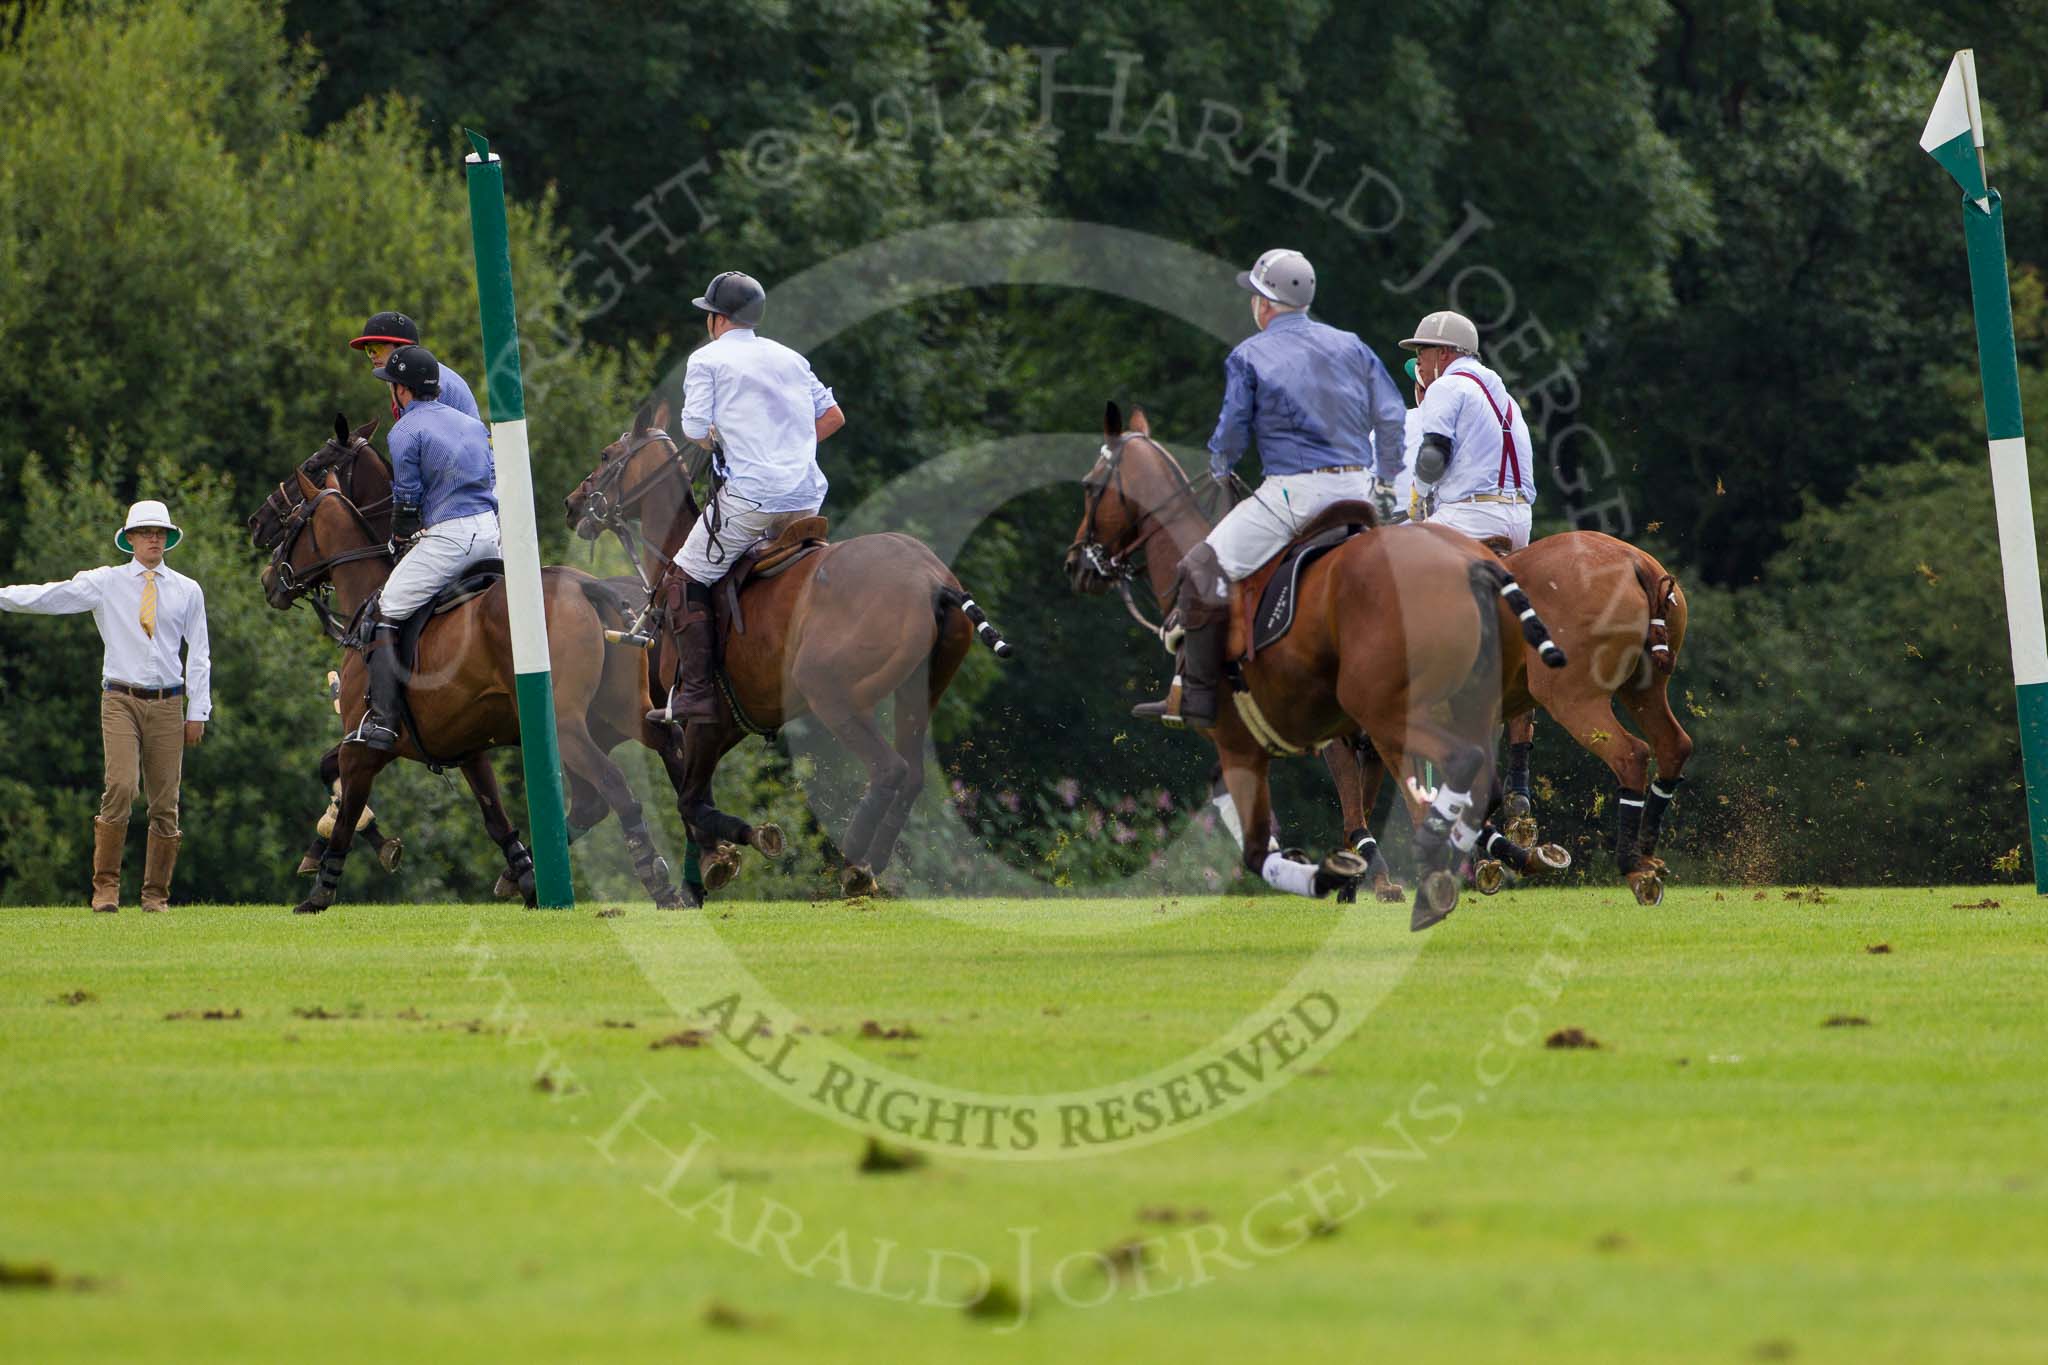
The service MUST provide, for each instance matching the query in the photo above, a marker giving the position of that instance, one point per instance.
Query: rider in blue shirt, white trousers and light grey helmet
(1316, 400)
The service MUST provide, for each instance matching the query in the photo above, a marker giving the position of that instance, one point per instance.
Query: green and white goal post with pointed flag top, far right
(1955, 136)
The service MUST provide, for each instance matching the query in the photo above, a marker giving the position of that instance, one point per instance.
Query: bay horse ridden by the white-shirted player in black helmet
(835, 635)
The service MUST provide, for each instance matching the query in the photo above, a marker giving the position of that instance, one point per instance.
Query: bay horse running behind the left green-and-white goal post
(462, 695)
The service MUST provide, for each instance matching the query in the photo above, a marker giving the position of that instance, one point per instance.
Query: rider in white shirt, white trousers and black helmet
(767, 412)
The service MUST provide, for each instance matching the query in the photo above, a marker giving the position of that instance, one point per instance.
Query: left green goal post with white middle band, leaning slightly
(519, 531)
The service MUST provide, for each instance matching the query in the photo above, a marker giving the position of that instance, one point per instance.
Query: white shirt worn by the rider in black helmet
(767, 402)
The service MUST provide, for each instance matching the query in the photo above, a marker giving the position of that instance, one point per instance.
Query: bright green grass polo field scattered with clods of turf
(366, 1165)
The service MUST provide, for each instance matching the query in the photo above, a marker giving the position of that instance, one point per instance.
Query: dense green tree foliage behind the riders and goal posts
(1699, 238)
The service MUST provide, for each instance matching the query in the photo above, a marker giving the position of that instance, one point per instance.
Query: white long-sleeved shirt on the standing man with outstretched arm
(114, 597)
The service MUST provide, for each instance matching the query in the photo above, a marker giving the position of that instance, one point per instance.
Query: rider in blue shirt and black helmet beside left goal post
(443, 488)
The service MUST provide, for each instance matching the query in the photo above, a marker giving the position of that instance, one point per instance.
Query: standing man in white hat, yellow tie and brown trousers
(153, 703)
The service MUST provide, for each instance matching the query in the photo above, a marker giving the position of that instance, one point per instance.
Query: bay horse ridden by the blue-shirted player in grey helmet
(1398, 635)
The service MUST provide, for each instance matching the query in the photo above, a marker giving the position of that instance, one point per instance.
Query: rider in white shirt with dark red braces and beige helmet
(1474, 470)
